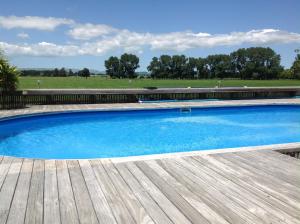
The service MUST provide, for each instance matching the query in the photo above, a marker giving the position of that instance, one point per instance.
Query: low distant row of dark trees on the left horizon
(62, 72)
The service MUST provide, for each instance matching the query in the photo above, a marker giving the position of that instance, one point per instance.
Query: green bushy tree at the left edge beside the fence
(8, 76)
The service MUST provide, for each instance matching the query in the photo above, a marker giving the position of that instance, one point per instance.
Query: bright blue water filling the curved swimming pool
(130, 133)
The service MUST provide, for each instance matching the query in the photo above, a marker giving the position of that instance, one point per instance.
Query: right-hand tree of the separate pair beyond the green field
(129, 63)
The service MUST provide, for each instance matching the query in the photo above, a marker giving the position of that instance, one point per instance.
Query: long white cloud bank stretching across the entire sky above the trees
(108, 39)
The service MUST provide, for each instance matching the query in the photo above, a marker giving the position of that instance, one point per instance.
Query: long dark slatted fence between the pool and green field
(21, 99)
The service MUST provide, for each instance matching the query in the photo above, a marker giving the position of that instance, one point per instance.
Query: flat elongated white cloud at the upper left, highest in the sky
(33, 22)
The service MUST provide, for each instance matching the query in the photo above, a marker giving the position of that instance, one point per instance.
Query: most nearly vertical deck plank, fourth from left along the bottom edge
(51, 201)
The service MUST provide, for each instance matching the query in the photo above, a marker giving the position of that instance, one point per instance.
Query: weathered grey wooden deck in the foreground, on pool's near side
(241, 187)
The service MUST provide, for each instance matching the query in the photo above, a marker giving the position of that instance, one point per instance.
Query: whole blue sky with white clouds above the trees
(76, 34)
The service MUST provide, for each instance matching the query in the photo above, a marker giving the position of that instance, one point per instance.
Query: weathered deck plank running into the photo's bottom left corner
(8, 189)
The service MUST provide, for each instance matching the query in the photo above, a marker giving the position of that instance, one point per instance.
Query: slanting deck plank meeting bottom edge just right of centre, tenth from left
(146, 200)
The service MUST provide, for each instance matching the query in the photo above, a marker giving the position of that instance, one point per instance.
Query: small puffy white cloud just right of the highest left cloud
(88, 31)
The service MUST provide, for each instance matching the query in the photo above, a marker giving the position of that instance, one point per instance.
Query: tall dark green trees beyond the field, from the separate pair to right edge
(244, 63)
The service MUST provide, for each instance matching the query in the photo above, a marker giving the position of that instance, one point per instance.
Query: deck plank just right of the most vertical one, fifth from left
(68, 210)
